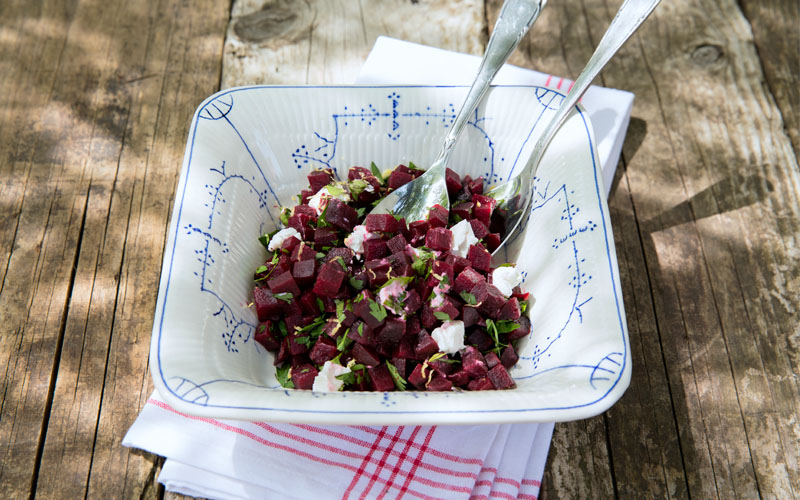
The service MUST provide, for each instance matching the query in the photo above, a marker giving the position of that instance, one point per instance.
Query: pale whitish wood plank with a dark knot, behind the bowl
(326, 41)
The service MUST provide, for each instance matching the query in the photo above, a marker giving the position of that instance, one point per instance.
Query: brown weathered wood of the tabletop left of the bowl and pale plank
(96, 111)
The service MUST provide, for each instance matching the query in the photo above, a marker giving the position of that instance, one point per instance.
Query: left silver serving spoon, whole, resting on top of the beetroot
(415, 199)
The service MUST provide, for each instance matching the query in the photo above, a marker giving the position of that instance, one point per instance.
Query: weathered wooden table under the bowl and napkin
(96, 97)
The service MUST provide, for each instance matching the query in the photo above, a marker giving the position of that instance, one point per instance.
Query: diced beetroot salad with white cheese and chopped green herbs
(350, 301)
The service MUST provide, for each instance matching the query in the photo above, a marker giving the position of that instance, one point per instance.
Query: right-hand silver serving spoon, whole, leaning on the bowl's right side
(516, 194)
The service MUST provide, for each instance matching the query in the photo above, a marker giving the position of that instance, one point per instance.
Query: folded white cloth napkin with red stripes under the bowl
(224, 459)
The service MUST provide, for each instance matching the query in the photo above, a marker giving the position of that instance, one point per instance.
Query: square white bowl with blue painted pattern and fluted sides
(249, 150)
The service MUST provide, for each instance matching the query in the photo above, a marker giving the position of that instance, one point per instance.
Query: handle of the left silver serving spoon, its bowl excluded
(514, 20)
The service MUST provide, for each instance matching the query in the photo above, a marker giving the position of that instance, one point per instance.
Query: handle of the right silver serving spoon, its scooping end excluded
(629, 17)
